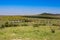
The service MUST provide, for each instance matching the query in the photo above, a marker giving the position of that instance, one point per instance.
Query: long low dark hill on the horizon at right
(46, 16)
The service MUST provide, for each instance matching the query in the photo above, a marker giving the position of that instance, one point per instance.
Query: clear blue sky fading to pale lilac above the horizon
(29, 7)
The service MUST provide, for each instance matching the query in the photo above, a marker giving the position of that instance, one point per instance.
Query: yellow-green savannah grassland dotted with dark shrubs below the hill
(34, 29)
